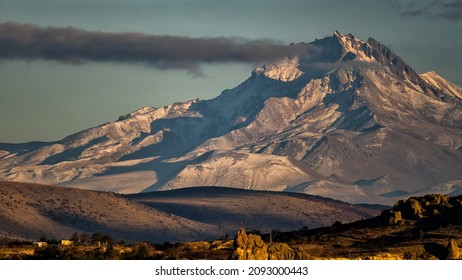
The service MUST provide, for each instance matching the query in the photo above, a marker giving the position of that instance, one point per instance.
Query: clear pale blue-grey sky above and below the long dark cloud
(43, 100)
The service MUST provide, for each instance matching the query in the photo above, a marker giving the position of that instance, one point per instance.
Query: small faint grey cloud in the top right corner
(450, 10)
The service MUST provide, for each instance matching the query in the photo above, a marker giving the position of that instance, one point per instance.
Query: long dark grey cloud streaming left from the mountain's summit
(72, 45)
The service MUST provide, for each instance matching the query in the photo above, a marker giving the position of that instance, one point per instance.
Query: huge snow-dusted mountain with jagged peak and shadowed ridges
(349, 120)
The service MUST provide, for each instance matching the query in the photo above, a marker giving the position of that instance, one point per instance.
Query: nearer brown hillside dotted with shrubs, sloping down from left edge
(28, 211)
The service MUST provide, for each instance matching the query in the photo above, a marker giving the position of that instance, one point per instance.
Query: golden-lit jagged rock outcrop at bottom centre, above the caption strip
(252, 247)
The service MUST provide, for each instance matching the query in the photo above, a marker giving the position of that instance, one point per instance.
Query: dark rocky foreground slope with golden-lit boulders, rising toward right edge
(426, 227)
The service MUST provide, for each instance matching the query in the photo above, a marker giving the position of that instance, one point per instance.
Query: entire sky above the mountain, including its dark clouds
(68, 65)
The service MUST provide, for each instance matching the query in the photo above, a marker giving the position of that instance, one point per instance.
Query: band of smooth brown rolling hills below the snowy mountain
(29, 211)
